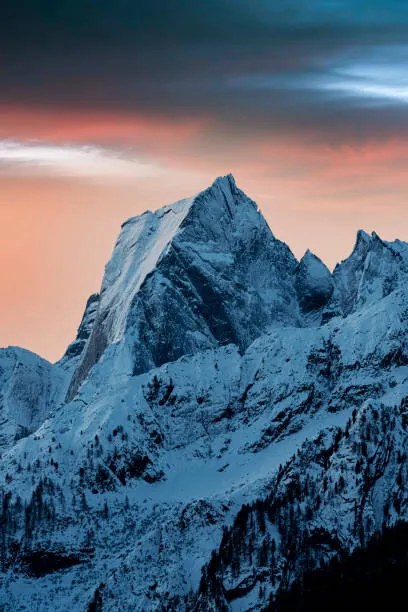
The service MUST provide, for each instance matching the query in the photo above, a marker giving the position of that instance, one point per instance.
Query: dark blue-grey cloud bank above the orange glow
(283, 66)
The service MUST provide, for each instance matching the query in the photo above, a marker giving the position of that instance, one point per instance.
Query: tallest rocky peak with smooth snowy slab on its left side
(198, 273)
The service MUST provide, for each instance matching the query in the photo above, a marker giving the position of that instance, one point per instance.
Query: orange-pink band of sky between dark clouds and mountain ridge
(60, 211)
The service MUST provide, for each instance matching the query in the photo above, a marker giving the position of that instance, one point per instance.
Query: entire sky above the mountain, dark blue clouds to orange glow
(112, 107)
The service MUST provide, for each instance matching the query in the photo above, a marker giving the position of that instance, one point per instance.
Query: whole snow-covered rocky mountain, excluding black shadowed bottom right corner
(225, 397)
